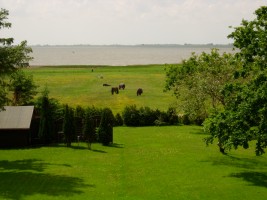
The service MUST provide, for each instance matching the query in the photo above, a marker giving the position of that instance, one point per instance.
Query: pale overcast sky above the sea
(126, 21)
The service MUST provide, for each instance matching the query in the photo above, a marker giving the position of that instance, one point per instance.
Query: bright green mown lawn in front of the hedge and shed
(144, 163)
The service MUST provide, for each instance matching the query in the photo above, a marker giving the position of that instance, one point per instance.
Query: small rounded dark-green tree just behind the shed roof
(23, 88)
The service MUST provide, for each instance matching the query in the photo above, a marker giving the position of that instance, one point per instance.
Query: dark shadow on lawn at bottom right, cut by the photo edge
(255, 178)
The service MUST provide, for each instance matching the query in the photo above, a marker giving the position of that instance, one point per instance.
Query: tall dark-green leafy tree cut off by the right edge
(244, 117)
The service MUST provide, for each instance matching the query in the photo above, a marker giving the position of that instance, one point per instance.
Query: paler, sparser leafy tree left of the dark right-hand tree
(197, 82)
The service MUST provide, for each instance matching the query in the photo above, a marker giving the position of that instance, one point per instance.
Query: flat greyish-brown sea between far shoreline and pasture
(118, 55)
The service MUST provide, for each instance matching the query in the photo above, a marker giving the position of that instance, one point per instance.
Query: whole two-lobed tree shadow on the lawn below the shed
(25, 178)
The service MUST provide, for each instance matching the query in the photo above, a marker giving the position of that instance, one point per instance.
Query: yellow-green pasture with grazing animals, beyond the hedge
(78, 85)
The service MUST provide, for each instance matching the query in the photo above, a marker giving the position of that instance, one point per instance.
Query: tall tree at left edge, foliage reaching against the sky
(12, 57)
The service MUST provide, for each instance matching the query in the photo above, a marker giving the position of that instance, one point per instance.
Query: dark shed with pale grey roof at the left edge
(15, 126)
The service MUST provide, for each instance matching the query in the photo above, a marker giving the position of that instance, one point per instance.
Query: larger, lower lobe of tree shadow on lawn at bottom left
(17, 185)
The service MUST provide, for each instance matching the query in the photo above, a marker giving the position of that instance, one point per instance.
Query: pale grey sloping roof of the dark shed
(16, 117)
